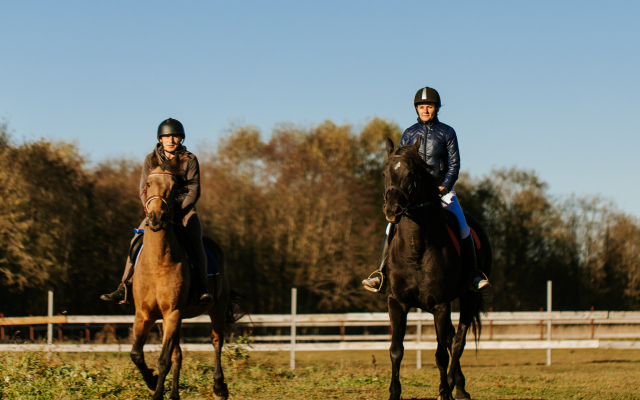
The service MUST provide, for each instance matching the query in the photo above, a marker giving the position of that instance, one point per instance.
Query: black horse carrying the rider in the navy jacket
(424, 268)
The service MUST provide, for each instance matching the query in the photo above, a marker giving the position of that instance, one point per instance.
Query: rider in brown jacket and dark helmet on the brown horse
(170, 137)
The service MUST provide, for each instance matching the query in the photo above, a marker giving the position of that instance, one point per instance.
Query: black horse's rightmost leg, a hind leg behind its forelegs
(468, 303)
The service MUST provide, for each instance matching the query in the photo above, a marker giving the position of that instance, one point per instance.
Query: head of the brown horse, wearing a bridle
(162, 183)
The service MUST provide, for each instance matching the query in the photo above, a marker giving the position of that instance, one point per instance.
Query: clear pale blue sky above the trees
(552, 86)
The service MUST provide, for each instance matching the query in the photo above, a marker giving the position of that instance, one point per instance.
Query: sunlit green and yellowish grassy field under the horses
(579, 374)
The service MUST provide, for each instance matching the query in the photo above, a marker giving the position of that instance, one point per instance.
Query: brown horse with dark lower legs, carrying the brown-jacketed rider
(161, 287)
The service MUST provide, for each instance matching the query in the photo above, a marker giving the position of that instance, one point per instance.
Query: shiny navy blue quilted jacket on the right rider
(439, 149)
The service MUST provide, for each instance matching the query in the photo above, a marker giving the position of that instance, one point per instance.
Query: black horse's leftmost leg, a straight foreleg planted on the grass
(398, 317)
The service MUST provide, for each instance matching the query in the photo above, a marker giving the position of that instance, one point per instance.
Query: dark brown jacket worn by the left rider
(189, 195)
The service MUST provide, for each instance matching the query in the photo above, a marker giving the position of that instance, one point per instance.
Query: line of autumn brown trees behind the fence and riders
(301, 208)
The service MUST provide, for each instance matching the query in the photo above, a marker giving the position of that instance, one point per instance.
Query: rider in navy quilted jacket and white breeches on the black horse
(439, 150)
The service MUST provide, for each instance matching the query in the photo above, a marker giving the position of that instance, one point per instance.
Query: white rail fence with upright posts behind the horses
(544, 323)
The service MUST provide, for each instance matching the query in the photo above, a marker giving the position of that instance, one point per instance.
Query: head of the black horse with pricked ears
(406, 180)
